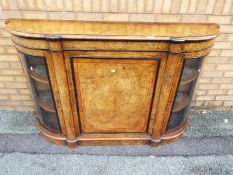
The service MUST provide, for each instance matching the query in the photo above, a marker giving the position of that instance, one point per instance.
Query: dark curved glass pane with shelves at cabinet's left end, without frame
(39, 80)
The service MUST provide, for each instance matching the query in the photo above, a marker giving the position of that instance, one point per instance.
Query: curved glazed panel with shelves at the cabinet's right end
(178, 119)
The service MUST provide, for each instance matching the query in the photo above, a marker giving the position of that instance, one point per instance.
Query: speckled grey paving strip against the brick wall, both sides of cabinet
(201, 124)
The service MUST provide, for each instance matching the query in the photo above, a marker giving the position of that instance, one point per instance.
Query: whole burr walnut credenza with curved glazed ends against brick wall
(105, 83)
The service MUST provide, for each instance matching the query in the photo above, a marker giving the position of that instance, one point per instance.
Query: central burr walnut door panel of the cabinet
(114, 95)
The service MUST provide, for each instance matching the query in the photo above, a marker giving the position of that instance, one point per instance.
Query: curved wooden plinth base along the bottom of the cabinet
(130, 139)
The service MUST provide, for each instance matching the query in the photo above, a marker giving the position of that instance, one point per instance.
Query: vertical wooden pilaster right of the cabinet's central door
(168, 90)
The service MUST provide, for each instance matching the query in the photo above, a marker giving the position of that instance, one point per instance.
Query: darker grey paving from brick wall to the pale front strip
(209, 133)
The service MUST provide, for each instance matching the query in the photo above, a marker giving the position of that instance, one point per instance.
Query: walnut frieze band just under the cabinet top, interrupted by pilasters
(69, 45)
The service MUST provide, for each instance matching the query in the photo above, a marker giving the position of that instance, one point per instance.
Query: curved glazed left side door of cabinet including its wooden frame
(37, 66)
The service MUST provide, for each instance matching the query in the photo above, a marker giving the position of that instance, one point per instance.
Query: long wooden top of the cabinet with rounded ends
(54, 29)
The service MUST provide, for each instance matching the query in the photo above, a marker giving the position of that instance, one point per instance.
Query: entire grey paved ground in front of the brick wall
(206, 148)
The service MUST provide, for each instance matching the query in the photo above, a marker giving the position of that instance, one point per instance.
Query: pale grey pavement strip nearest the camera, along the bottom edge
(34, 164)
